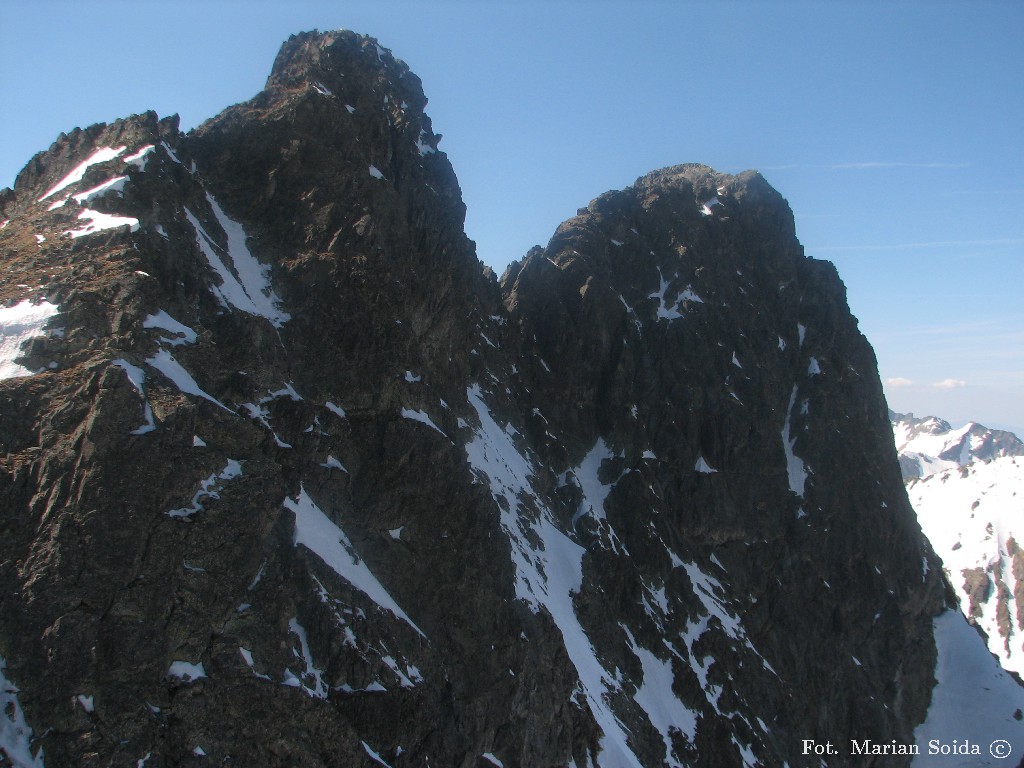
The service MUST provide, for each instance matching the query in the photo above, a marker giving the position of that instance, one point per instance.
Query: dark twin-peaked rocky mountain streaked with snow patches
(300, 486)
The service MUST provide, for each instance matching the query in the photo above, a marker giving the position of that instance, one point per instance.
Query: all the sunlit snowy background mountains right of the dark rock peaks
(967, 486)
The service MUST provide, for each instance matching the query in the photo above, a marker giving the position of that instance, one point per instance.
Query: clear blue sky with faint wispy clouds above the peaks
(893, 130)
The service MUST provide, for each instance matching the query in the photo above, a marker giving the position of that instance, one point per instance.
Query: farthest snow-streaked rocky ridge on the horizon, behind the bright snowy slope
(931, 445)
